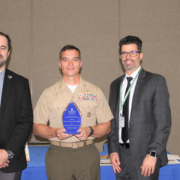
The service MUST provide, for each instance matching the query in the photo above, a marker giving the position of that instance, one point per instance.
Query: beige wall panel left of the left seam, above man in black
(16, 22)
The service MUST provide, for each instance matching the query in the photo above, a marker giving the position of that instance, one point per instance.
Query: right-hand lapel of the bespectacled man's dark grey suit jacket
(138, 88)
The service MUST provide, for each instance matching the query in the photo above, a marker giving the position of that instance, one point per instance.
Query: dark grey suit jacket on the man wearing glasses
(150, 119)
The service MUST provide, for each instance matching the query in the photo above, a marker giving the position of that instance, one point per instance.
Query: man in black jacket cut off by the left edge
(16, 116)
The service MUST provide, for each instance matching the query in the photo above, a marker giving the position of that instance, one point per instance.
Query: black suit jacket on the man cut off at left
(16, 119)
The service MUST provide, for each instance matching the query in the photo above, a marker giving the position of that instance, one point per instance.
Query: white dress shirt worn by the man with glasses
(124, 85)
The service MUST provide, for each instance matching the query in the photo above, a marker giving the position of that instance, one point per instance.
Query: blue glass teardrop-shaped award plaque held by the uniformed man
(72, 118)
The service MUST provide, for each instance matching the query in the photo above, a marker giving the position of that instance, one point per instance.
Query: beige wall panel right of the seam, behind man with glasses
(156, 23)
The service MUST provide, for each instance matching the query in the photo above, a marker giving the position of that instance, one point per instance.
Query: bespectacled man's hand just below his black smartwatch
(148, 165)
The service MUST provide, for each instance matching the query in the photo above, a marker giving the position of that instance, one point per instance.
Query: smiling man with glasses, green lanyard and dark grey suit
(139, 101)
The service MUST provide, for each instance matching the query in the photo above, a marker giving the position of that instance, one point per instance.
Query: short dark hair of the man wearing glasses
(130, 40)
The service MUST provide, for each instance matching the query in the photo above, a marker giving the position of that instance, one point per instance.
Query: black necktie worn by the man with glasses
(124, 134)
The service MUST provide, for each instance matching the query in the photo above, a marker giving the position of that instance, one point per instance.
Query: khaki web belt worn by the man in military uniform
(73, 144)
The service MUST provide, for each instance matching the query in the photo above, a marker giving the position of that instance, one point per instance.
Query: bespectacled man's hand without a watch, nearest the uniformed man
(114, 157)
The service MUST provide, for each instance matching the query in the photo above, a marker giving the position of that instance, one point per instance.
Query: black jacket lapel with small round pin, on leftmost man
(7, 86)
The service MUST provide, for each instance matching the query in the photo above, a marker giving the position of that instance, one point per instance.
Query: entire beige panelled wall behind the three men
(39, 29)
